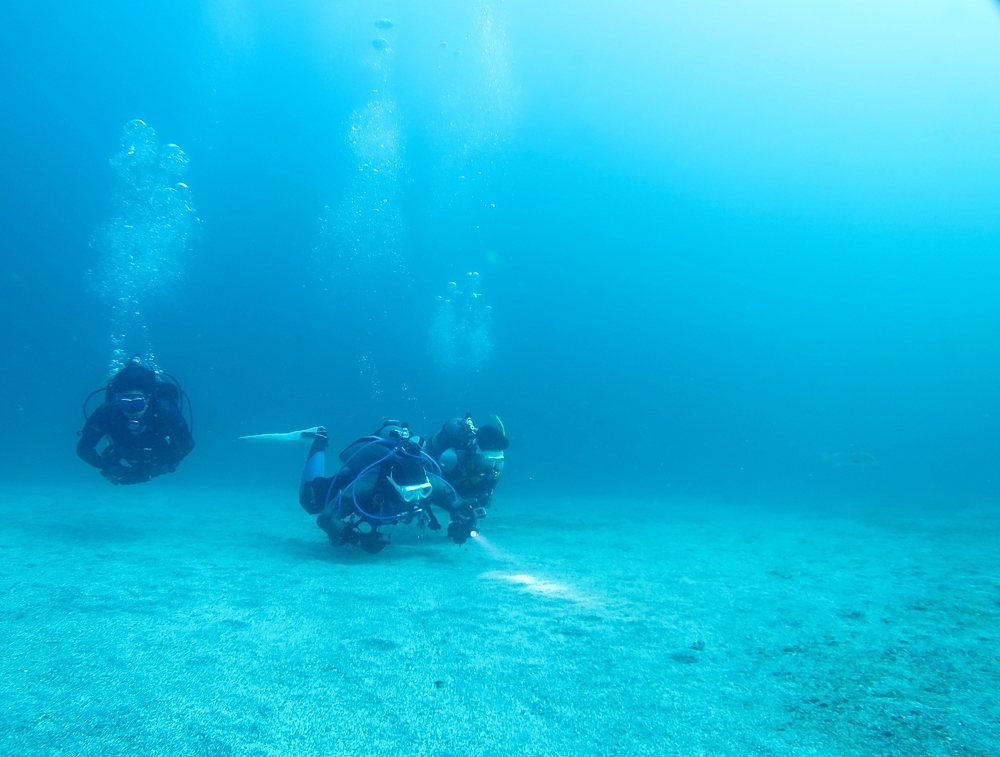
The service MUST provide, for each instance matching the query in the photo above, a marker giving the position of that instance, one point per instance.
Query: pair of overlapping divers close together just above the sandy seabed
(392, 477)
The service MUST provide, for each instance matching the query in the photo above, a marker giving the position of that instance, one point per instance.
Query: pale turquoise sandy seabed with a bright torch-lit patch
(159, 621)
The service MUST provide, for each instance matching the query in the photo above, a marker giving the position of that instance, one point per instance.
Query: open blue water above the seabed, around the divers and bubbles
(716, 243)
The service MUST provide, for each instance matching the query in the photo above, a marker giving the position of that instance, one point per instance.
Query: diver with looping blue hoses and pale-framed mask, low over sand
(384, 479)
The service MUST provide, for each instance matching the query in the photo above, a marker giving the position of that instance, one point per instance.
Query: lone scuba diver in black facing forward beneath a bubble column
(140, 423)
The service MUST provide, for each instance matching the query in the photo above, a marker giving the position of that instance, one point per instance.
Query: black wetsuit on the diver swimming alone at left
(162, 441)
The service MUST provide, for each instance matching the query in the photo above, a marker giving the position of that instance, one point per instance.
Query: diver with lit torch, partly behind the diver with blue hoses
(470, 460)
